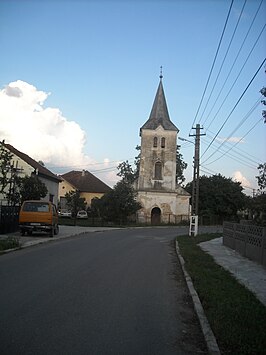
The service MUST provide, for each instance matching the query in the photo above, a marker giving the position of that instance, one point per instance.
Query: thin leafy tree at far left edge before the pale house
(5, 167)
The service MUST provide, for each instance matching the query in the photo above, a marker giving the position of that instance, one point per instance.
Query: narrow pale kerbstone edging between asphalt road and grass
(205, 326)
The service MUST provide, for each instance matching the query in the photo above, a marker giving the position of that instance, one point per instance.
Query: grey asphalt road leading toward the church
(115, 292)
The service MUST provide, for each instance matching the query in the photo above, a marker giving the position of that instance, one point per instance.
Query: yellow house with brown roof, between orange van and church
(83, 181)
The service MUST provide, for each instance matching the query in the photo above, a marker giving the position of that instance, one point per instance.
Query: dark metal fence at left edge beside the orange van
(8, 219)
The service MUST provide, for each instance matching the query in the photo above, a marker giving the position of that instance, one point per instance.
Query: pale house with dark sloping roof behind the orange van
(26, 166)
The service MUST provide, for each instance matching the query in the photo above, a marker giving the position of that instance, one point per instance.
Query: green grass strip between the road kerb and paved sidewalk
(236, 316)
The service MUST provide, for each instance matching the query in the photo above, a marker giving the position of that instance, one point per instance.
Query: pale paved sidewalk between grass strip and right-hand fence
(247, 272)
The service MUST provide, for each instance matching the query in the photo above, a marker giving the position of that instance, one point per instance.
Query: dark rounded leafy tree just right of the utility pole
(219, 196)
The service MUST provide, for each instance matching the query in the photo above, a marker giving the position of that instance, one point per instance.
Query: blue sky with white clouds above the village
(78, 80)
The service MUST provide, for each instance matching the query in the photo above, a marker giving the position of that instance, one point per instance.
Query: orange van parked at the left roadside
(36, 216)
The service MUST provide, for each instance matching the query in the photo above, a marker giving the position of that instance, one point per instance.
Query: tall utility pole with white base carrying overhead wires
(195, 186)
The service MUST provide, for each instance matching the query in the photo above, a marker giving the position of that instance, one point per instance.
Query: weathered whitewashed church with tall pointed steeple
(162, 199)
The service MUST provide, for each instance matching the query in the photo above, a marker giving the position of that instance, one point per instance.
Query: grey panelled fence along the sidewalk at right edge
(247, 240)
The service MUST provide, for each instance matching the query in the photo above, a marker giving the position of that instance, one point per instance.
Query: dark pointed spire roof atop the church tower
(159, 113)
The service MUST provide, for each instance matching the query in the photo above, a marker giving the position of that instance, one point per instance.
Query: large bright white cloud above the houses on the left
(43, 132)
